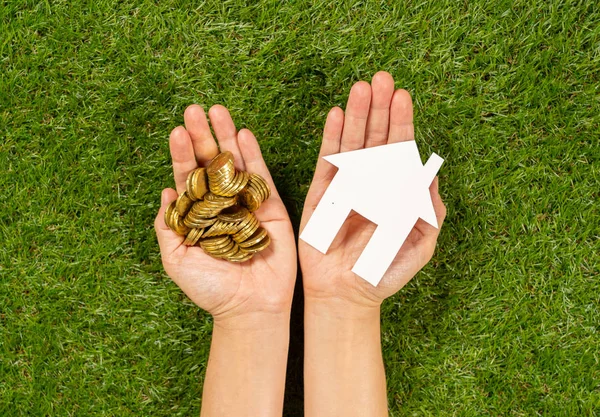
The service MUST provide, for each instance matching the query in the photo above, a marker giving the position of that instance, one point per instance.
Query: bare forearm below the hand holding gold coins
(246, 369)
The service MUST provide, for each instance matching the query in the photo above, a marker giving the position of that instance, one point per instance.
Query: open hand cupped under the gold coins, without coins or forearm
(229, 291)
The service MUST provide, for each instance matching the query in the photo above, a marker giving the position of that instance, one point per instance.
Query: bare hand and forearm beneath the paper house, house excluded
(343, 369)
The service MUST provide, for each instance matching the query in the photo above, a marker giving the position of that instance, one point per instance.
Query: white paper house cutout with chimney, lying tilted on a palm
(388, 185)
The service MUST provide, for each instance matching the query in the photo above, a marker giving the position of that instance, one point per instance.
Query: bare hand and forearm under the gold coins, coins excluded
(250, 302)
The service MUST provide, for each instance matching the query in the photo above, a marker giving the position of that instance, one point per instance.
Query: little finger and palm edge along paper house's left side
(324, 172)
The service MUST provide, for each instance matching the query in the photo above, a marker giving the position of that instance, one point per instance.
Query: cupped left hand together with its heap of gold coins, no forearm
(232, 248)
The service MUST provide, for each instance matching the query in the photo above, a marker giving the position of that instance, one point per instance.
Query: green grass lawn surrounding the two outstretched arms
(504, 321)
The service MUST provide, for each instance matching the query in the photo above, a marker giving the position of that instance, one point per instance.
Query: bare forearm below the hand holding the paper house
(343, 365)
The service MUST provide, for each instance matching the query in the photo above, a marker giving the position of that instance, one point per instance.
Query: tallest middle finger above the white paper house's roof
(378, 123)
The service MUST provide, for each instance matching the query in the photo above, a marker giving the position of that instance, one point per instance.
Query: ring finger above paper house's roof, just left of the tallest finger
(357, 112)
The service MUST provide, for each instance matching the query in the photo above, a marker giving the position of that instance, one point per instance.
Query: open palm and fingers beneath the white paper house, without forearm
(375, 115)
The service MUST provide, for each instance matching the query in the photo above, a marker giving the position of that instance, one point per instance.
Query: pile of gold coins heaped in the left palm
(216, 211)
